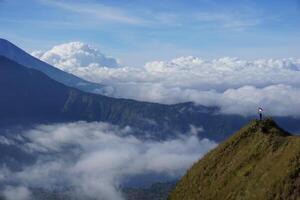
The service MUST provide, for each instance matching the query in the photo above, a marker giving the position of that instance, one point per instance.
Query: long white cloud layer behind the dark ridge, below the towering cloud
(236, 86)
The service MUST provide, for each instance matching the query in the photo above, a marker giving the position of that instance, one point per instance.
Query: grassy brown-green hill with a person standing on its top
(261, 161)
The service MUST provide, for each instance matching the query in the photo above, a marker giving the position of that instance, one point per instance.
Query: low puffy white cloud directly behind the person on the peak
(279, 100)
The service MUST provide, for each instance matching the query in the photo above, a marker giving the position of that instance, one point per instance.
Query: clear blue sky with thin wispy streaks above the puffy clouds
(137, 31)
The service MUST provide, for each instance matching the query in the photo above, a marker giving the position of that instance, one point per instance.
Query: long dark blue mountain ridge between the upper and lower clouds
(29, 96)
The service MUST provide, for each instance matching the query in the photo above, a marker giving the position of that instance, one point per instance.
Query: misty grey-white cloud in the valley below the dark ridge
(95, 159)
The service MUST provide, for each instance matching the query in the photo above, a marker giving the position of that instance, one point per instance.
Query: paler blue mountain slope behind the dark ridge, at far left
(9, 50)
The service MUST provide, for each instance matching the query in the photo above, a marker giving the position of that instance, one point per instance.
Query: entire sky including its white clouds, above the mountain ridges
(235, 54)
